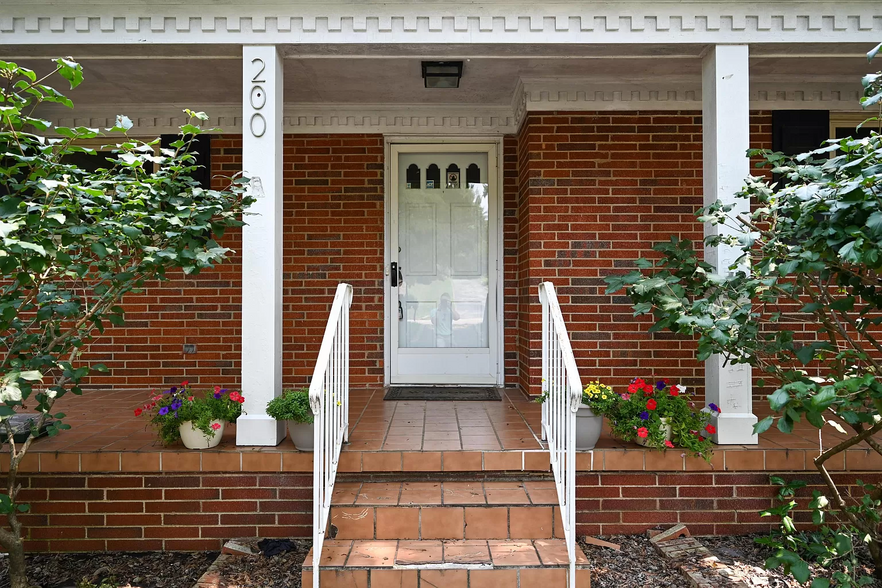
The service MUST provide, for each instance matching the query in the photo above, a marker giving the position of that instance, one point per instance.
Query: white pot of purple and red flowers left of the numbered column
(197, 419)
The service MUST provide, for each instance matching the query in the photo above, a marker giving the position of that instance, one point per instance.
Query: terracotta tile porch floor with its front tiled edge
(396, 436)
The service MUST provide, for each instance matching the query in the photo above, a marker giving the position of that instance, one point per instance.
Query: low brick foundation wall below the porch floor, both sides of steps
(198, 511)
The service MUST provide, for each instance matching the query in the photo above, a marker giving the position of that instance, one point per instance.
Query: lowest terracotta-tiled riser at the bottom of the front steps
(523, 577)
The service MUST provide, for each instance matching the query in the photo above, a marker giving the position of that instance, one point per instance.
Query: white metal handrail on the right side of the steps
(562, 388)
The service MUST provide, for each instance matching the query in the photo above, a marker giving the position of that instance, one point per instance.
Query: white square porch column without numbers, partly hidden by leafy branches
(726, 137)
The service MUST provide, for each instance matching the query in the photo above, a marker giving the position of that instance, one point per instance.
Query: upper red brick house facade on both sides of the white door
(583, 195)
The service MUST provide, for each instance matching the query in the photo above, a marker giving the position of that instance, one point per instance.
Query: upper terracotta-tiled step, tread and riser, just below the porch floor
(446, 510)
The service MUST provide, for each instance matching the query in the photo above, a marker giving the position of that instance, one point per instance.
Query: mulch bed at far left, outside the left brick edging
(144, 570)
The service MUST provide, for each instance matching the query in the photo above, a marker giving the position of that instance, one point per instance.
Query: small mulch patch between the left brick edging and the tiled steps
(257, 571)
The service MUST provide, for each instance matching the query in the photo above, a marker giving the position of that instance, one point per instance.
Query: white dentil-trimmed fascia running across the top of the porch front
(440, 22)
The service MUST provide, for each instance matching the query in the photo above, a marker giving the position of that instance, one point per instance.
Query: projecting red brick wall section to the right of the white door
(596, 191)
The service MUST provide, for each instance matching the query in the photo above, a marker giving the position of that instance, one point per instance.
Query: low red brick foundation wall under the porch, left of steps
(175, 512)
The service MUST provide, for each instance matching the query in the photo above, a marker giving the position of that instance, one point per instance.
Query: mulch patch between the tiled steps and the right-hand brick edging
(637, 565)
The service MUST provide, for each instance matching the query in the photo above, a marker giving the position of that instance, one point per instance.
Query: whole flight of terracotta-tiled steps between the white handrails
(451, 534)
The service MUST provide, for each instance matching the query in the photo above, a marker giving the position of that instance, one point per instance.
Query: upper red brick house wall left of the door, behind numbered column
(333, 231)
